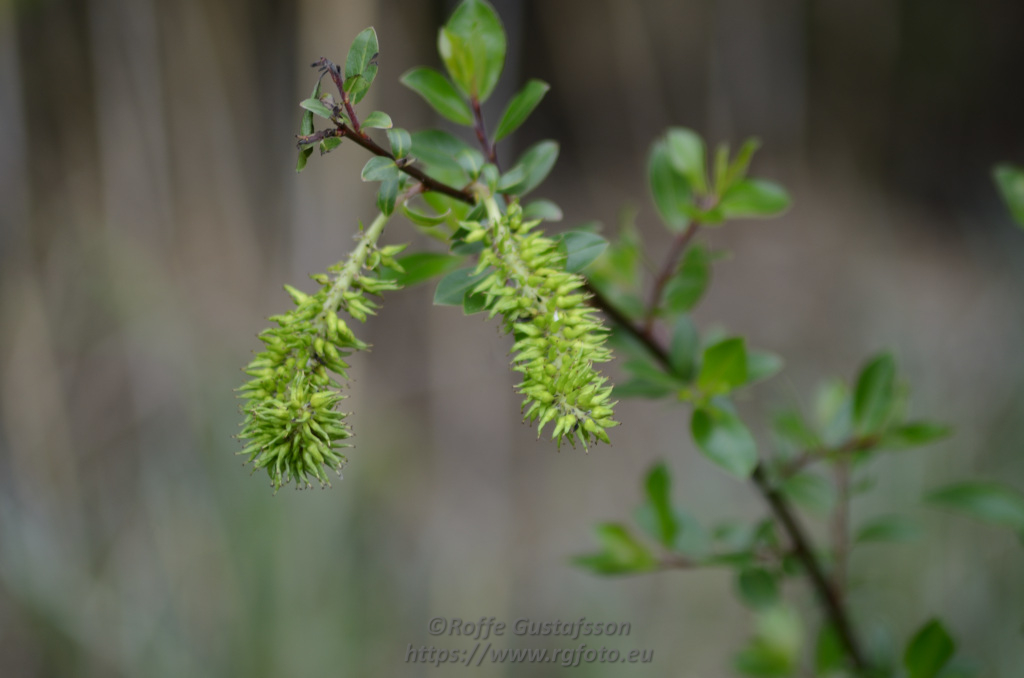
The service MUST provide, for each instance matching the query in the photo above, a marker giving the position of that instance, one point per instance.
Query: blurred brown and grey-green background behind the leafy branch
(150, 214)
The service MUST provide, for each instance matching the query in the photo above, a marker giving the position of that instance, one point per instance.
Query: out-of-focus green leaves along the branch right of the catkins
(851, 427)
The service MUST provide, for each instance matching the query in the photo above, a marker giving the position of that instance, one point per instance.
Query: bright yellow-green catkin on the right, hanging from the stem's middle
(559, 337)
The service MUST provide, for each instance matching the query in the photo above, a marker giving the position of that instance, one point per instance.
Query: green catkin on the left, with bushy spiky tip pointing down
(292, 428)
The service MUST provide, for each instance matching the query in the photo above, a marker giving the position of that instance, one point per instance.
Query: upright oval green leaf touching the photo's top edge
(473, 47)
